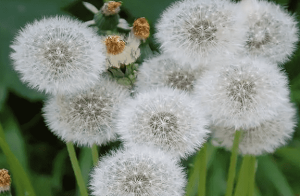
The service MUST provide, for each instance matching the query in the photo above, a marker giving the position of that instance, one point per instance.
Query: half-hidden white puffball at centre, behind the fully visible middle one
(163, 70)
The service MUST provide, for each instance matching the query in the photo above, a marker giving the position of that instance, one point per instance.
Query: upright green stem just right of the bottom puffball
(202, 169)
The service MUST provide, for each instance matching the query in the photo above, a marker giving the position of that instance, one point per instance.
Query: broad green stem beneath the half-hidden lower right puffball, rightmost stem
(243, 180)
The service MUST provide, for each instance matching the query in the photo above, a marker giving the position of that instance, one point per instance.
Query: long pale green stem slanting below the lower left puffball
(76, 169)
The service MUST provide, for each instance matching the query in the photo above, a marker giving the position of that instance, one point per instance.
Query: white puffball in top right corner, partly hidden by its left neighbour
(272, 31)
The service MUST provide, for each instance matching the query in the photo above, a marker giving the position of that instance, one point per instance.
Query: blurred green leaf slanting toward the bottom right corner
(272, 172)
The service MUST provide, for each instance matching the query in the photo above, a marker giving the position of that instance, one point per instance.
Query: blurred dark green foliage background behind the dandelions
(44, 156)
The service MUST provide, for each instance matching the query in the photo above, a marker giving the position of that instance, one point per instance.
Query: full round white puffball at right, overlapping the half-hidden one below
(243, 92)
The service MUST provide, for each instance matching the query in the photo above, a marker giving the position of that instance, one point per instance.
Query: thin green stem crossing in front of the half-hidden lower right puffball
(233, 160)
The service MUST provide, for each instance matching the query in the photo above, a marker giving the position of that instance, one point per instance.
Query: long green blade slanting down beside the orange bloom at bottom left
(18, 172)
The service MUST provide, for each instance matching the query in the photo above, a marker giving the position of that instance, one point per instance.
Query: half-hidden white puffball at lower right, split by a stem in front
(264, 138)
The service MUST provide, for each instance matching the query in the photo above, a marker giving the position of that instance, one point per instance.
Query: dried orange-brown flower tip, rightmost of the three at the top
(141, 28)
